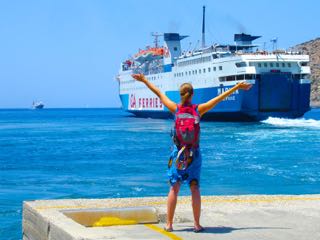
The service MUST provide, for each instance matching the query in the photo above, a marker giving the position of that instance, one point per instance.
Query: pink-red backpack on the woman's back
(187, 126)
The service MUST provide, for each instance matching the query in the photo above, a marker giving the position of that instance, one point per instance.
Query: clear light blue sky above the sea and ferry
(67, 52)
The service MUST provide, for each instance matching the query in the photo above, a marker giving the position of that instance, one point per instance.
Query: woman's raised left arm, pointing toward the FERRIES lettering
(172, 106)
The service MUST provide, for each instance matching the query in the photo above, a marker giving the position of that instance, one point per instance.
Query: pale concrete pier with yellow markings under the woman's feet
(224, 217)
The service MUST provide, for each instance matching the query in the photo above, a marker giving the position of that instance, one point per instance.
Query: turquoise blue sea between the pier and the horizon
(104, 153)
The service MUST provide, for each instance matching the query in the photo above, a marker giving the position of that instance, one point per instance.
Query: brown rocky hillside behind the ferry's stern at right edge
(312, 48)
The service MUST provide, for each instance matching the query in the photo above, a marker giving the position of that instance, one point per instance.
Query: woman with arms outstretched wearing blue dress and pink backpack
(185, 160)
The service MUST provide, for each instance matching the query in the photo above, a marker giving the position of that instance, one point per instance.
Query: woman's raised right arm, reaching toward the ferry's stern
(205, 107)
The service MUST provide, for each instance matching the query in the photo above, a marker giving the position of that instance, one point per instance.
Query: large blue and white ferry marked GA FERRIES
(280, 79)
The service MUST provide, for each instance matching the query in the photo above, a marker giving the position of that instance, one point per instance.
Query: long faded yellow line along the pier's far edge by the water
(187, 201)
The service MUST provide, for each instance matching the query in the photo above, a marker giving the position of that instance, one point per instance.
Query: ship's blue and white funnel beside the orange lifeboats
(172, 49)
